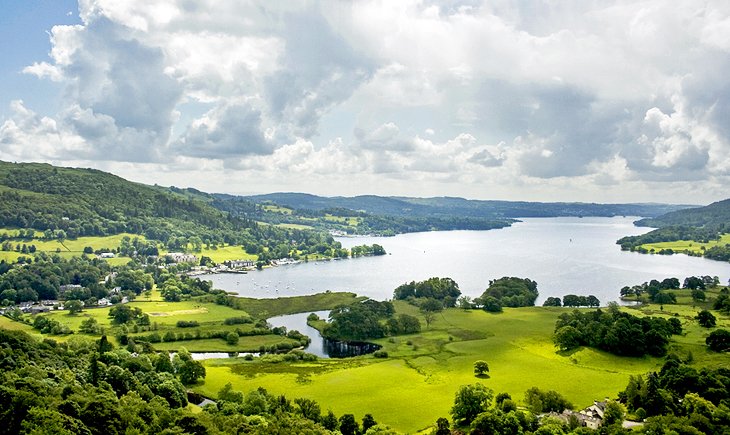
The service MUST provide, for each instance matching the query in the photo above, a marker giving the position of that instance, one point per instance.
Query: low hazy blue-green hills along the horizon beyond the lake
(450, 207)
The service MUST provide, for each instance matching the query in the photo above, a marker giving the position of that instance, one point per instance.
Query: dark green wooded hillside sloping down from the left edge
(89, 202)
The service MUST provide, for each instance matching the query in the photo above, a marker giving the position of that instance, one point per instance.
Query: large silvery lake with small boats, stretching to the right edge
(564, 256)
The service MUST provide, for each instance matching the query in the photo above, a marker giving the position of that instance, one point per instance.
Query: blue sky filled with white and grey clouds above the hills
(543, 100)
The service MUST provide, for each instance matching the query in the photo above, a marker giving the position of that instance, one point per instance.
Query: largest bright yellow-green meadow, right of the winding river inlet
(416, 384)
